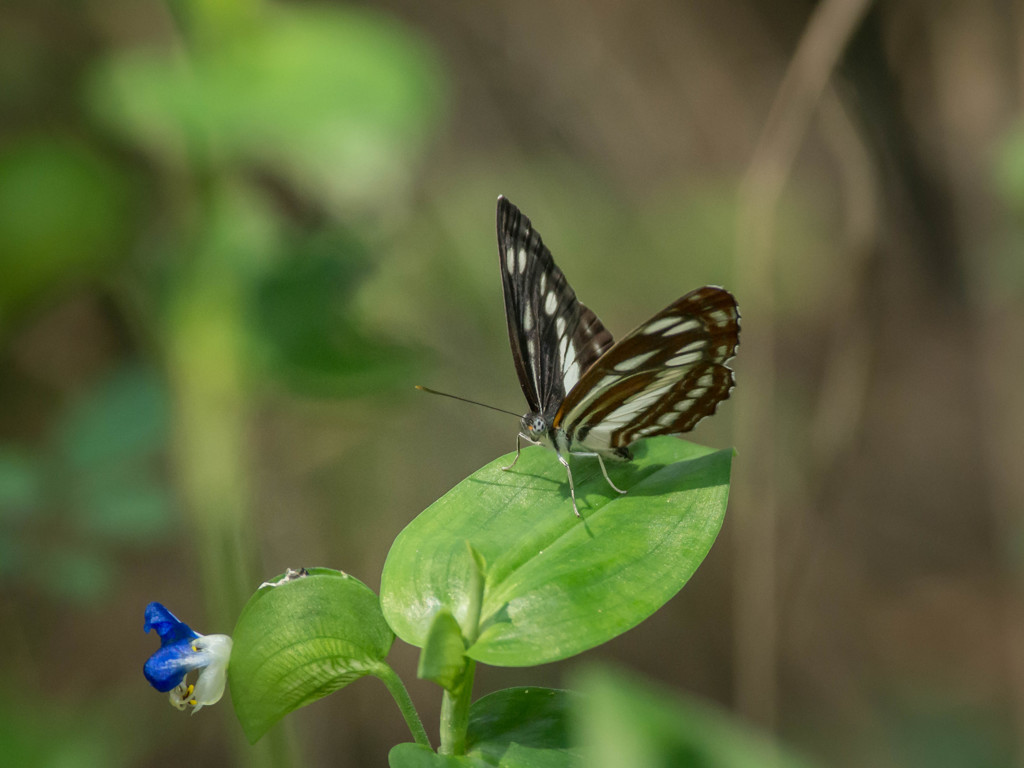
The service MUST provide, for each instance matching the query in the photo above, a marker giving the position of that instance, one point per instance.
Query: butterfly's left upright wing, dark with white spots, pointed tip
(554, 338)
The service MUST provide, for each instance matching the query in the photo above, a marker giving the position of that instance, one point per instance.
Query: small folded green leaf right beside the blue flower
(301, 641)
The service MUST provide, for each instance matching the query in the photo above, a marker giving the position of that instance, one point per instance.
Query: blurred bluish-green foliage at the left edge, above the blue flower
(94, 487)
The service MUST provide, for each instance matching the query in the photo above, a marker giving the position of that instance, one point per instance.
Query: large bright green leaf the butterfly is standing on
(558, 586)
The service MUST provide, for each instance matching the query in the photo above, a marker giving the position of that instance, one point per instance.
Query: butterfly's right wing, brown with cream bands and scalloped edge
(661, 379)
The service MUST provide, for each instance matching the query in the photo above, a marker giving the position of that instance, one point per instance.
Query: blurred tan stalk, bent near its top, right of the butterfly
(829, 30)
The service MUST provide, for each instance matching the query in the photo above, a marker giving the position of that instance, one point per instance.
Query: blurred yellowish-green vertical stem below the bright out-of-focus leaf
(207, 369)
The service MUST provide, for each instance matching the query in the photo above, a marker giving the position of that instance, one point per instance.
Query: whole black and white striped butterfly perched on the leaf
(589, 396)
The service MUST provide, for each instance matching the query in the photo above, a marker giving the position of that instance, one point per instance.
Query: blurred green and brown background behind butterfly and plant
(235, 235)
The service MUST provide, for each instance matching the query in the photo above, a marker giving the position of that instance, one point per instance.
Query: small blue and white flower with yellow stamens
(182, 652)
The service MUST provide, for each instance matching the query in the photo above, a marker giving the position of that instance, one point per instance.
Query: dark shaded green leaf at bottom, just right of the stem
(526, 728)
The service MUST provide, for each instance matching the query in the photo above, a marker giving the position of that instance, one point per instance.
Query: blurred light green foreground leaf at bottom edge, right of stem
(619, 722)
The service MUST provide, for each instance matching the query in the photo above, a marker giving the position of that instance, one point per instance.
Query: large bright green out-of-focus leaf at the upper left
(337, 102)
